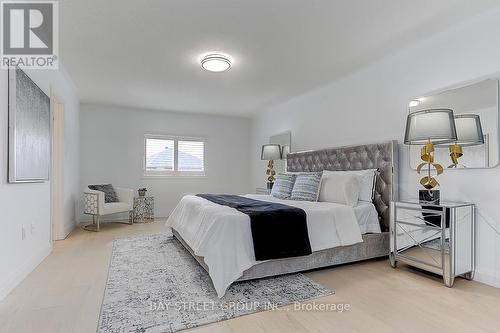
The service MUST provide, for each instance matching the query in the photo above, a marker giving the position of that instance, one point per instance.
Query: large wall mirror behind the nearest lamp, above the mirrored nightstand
(478, 99)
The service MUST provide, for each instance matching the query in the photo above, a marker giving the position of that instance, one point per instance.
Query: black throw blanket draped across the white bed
(278, 231)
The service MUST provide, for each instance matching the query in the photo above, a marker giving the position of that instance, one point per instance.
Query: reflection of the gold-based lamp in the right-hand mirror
(469, 133)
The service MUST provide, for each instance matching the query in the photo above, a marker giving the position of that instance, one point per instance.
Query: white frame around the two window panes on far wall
(174, 173)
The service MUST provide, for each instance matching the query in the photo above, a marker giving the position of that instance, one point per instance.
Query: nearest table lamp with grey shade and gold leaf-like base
(429, 127)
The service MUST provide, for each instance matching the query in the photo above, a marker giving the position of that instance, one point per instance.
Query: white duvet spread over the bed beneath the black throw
(222, 235)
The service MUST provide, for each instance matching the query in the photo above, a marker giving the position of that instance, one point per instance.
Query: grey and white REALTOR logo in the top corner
(29, 34)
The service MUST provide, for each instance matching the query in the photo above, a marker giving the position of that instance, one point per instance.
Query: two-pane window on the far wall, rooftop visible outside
(174, 156)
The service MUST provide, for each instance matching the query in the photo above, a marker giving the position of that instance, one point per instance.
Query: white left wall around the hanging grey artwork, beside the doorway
(29, 204)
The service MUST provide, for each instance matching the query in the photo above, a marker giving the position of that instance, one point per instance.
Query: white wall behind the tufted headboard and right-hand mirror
(371, 105)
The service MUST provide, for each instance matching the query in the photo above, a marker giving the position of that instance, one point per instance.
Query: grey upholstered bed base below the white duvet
(373, 246)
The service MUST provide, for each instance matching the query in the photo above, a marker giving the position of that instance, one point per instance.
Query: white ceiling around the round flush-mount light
(146, 53)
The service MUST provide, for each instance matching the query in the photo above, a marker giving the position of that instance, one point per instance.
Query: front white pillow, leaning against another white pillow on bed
(340, 188)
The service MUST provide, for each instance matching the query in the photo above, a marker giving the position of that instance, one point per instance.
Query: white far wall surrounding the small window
(112, 151)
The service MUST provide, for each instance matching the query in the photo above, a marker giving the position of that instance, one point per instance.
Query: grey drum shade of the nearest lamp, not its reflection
(437, 125)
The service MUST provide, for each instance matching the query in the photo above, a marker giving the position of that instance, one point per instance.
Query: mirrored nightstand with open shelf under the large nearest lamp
(436, 238)
